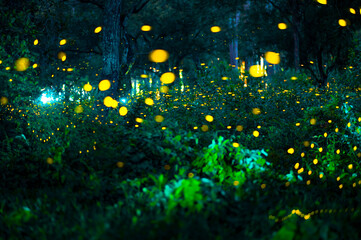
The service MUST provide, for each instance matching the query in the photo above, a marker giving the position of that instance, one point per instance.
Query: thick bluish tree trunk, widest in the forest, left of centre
(111, 46)
